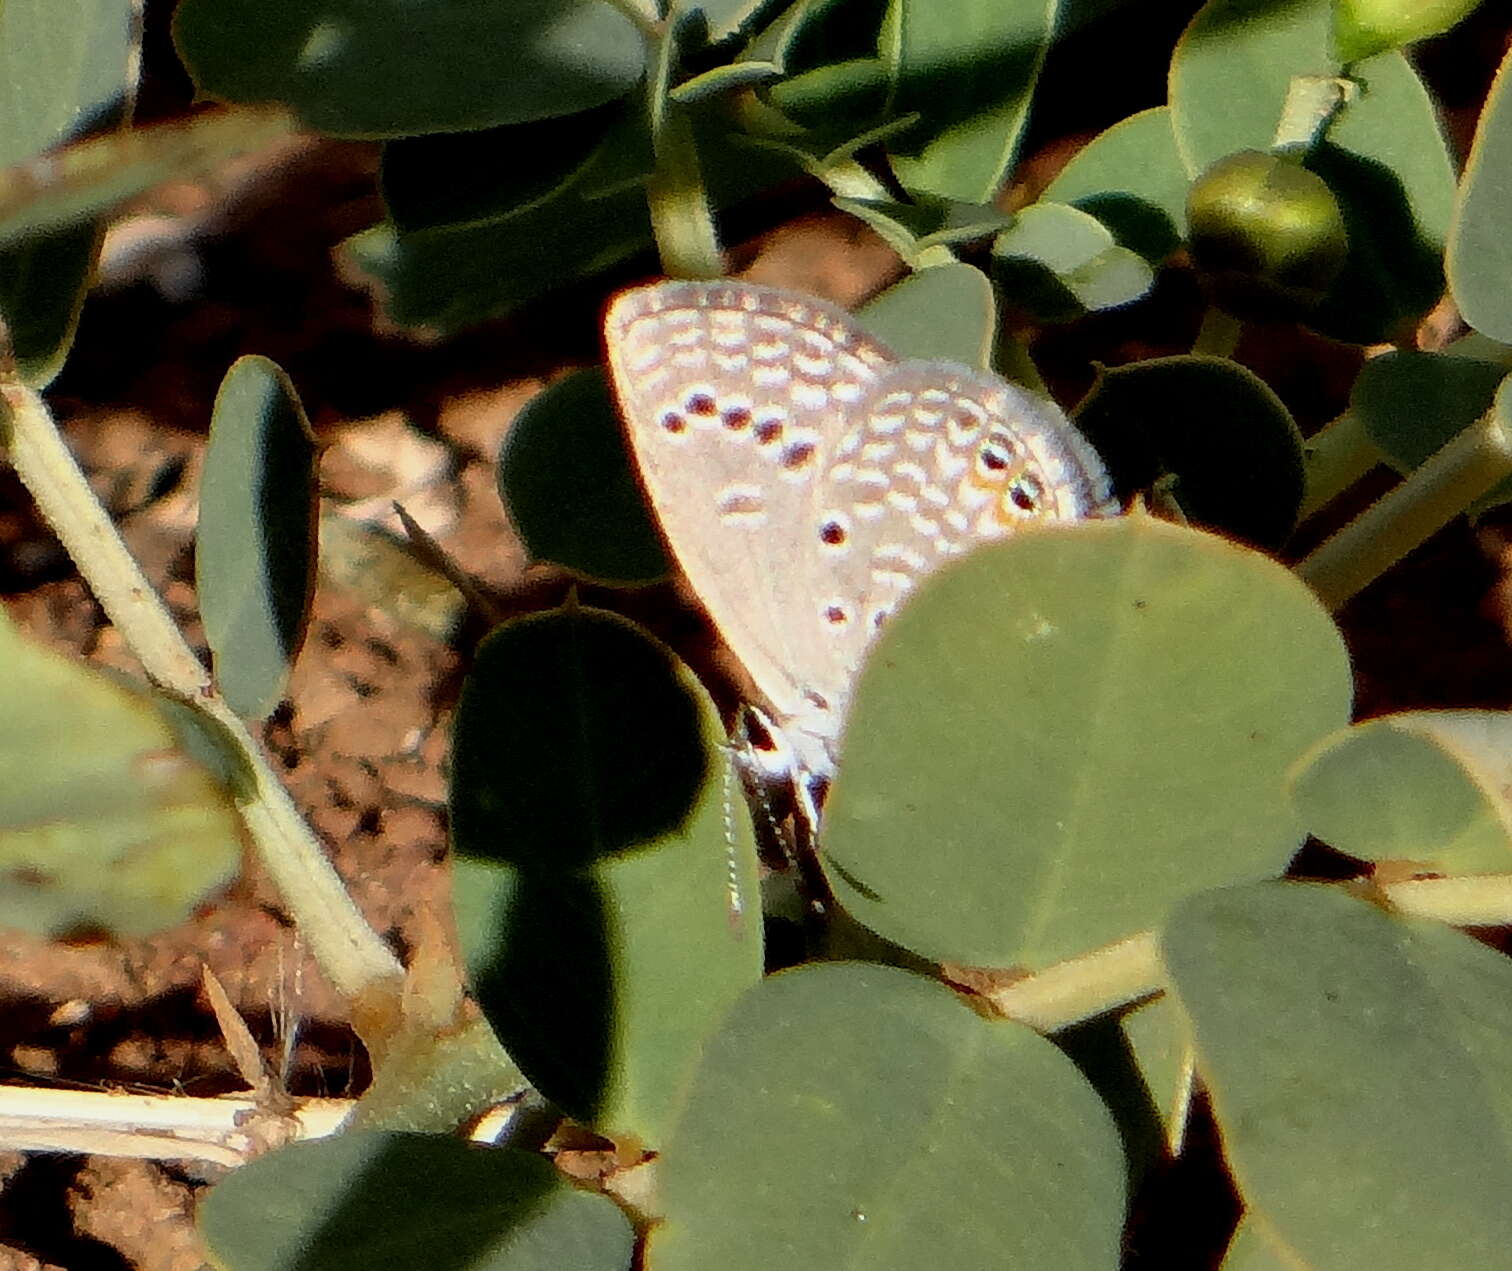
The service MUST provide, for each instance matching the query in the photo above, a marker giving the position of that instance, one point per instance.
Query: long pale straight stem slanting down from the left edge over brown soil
(352, 956)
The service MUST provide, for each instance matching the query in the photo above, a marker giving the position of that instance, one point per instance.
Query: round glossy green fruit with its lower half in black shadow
(1266, 235)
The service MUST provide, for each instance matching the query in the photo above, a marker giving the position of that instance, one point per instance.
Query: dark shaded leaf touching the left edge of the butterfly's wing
(571, 489)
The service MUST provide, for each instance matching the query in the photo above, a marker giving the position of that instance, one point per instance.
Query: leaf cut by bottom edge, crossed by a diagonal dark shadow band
(367, 1199)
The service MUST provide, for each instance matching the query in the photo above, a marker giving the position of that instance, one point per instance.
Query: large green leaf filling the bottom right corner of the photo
(1359, 1072)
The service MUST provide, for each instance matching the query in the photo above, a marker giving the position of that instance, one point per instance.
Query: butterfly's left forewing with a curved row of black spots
(736, 398)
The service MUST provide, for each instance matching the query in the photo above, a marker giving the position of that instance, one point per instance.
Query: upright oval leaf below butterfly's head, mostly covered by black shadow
(607, 888)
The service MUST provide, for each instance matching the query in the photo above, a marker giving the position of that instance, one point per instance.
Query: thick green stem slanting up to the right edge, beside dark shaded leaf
(1442, 489)
